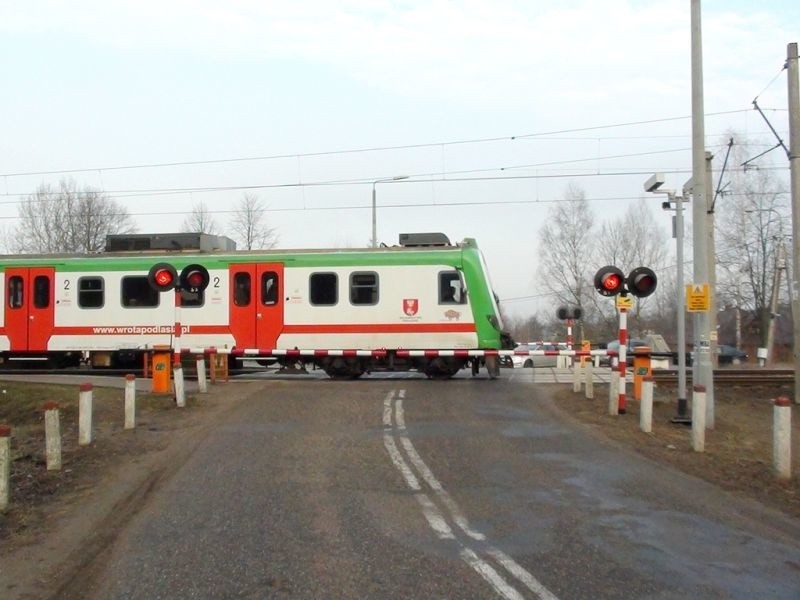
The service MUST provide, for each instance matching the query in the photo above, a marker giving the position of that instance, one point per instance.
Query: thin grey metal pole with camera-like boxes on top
(652, 185)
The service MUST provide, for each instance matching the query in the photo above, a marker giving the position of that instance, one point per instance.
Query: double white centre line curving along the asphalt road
(438, 521)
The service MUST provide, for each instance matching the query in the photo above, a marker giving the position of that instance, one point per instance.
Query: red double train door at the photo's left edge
(29, 310)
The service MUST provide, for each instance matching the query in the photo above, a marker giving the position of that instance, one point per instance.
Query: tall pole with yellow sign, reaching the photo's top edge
(702, 374)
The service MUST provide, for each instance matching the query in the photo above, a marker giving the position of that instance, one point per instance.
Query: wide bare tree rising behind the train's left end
(68, 220)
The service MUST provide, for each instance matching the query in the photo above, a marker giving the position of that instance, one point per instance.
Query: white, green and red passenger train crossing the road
(105, 309)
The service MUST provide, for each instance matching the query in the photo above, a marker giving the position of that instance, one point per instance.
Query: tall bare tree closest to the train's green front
(565, 242)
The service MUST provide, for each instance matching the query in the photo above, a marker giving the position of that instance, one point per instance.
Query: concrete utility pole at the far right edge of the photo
(794, 168)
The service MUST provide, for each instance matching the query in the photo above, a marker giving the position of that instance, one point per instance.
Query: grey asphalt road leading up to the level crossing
(408, 488)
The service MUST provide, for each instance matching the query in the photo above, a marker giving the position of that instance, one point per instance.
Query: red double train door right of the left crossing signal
(256, 304)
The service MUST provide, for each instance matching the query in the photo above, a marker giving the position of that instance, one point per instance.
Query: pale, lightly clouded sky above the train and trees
(490, 108)
